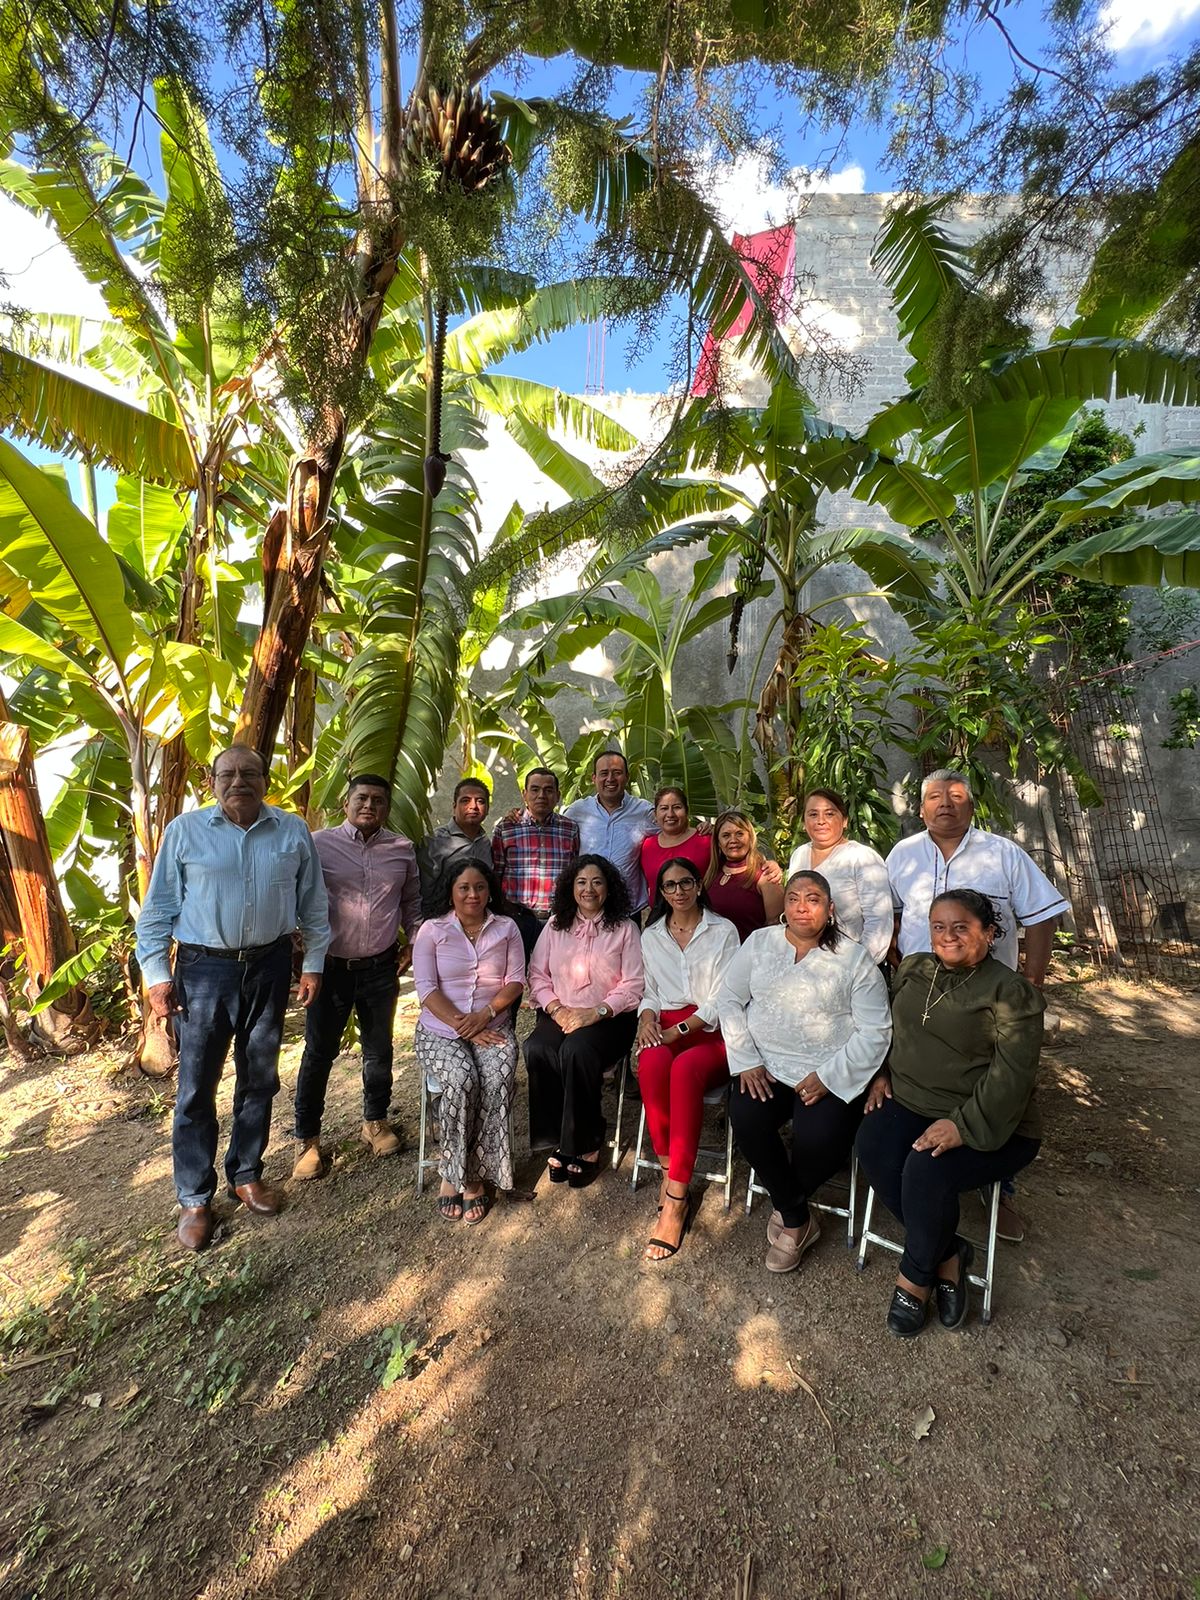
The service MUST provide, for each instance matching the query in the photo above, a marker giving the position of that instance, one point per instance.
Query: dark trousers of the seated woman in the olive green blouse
(922, 1190)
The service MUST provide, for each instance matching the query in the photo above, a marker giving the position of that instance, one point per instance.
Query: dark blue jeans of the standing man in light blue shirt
(226, 1002)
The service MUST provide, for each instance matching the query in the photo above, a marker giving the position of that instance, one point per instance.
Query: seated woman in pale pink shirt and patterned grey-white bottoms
(470, 970)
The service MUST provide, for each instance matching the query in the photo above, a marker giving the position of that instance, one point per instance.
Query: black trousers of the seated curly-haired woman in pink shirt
(567, 1076)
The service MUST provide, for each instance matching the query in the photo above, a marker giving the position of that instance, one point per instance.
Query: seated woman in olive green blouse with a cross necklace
(954, 1108)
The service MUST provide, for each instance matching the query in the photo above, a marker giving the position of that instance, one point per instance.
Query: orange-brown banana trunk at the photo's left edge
(68, 1026)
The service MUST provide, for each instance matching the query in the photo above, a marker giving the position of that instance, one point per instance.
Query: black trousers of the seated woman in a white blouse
(823, 1135)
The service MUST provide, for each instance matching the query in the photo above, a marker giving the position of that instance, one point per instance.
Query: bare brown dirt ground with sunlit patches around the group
(359, 1399)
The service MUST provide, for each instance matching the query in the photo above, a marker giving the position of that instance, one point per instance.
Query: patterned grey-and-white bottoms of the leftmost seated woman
(478, 1087)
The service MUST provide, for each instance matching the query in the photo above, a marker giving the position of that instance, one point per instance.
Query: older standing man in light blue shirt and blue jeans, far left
(231, 884)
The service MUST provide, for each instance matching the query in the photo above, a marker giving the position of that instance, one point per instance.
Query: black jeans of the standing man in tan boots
(372, 993)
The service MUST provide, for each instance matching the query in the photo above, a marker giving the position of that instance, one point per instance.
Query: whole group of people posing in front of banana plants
(740, 974)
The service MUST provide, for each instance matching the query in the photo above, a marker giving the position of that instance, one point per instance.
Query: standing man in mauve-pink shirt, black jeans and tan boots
(374, 886)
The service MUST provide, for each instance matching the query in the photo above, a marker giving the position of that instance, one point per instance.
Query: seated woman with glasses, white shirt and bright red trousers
(686, 950)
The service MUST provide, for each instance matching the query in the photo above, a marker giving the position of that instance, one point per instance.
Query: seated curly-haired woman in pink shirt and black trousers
(586, 980)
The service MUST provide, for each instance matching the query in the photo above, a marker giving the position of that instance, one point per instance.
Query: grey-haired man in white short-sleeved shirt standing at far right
(956, 855)
